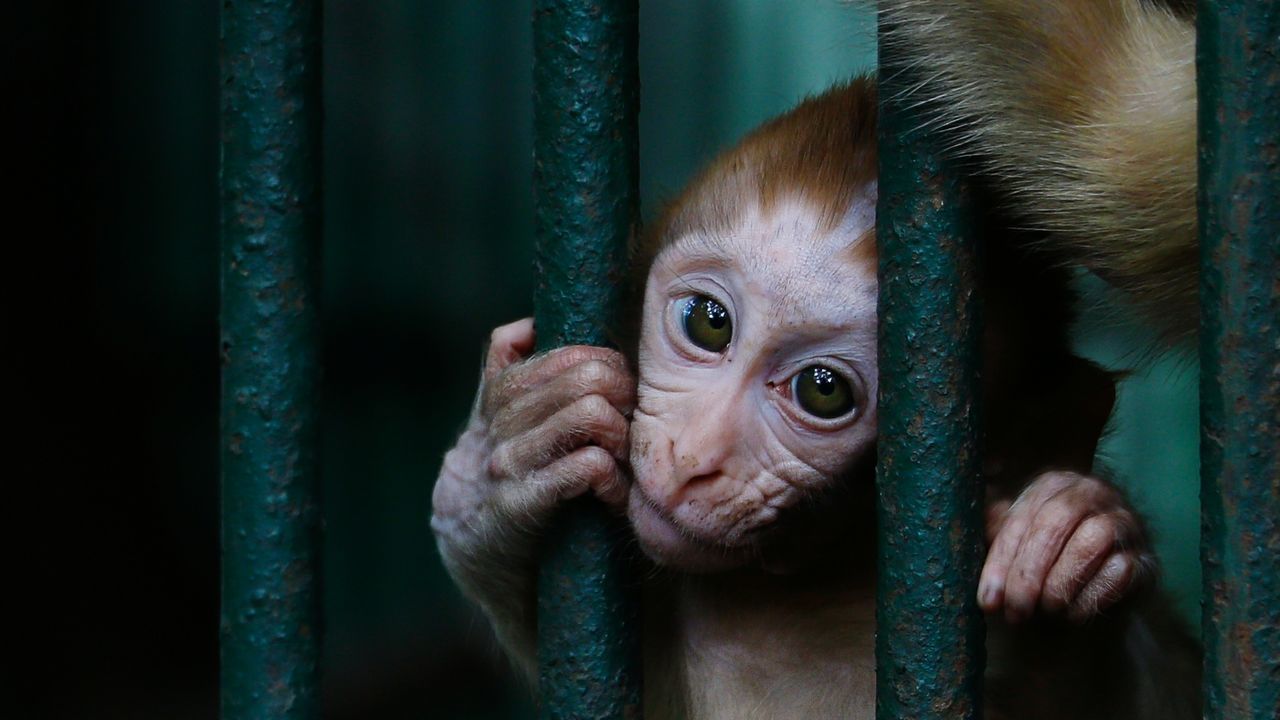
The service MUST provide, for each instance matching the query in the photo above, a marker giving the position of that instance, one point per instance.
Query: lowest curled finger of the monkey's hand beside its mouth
(586, 470)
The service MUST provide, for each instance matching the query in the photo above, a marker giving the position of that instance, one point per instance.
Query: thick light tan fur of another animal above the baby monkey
(1085, 115)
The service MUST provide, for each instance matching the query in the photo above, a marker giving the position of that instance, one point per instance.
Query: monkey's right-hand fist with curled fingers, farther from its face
(1069, 545)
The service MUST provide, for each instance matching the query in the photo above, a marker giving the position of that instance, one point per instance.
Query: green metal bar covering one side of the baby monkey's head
(930, 631)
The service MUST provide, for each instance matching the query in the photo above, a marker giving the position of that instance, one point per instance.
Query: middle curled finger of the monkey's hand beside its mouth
(588, 421)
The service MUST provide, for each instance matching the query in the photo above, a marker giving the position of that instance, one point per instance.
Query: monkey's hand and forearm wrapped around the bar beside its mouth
(545, 429)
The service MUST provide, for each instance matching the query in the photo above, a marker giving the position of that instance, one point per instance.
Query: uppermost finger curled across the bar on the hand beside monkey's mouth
(593, 377)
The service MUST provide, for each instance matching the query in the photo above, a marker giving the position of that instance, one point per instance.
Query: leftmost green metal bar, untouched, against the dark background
(271, 236)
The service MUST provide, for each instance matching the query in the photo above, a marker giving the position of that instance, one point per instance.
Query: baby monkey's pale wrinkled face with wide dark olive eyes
(757, 381)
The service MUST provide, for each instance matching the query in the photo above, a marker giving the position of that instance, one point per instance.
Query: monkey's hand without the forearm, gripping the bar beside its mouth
(545, 429)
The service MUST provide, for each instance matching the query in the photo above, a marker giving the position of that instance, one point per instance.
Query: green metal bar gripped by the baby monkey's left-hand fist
(586, 184)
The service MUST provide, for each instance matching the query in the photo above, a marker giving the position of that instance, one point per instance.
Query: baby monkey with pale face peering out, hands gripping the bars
(740, 445)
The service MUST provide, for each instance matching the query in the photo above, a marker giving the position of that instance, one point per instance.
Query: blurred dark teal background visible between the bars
(111, 320)
